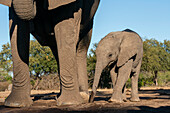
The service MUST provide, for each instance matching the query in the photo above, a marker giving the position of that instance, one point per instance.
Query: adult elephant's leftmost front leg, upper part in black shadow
(19, 33)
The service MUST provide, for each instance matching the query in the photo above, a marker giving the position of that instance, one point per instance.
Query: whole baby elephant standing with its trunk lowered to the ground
(122, 52)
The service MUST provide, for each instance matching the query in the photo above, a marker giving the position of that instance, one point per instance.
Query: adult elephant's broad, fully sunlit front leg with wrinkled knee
(67, 33)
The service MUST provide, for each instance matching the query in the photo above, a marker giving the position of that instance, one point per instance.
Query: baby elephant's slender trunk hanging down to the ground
(98, 71)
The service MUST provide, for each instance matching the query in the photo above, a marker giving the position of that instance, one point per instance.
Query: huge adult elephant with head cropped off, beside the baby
(63, 25)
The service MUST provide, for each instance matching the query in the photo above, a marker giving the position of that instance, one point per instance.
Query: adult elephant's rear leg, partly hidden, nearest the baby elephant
(82, 65)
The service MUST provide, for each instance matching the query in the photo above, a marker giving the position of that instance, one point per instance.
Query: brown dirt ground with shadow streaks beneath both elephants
(153, 100)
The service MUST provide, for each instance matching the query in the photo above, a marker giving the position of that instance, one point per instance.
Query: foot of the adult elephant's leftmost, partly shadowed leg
(18, 99)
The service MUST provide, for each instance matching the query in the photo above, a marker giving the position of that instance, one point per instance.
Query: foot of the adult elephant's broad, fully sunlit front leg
(69, 98)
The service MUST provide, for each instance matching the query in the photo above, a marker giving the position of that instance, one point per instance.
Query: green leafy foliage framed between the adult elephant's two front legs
(41, 60)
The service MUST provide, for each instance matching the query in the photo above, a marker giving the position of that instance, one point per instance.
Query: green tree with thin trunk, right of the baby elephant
(155, 57)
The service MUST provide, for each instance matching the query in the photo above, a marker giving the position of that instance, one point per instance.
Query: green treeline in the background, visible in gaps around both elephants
(155, 69)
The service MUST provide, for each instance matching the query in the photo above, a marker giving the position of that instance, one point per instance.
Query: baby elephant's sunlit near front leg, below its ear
(123, 75)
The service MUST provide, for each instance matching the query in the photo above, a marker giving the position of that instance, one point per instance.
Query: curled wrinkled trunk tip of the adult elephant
(25, 9)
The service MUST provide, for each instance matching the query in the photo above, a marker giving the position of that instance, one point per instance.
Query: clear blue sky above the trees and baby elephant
(149, 18)
